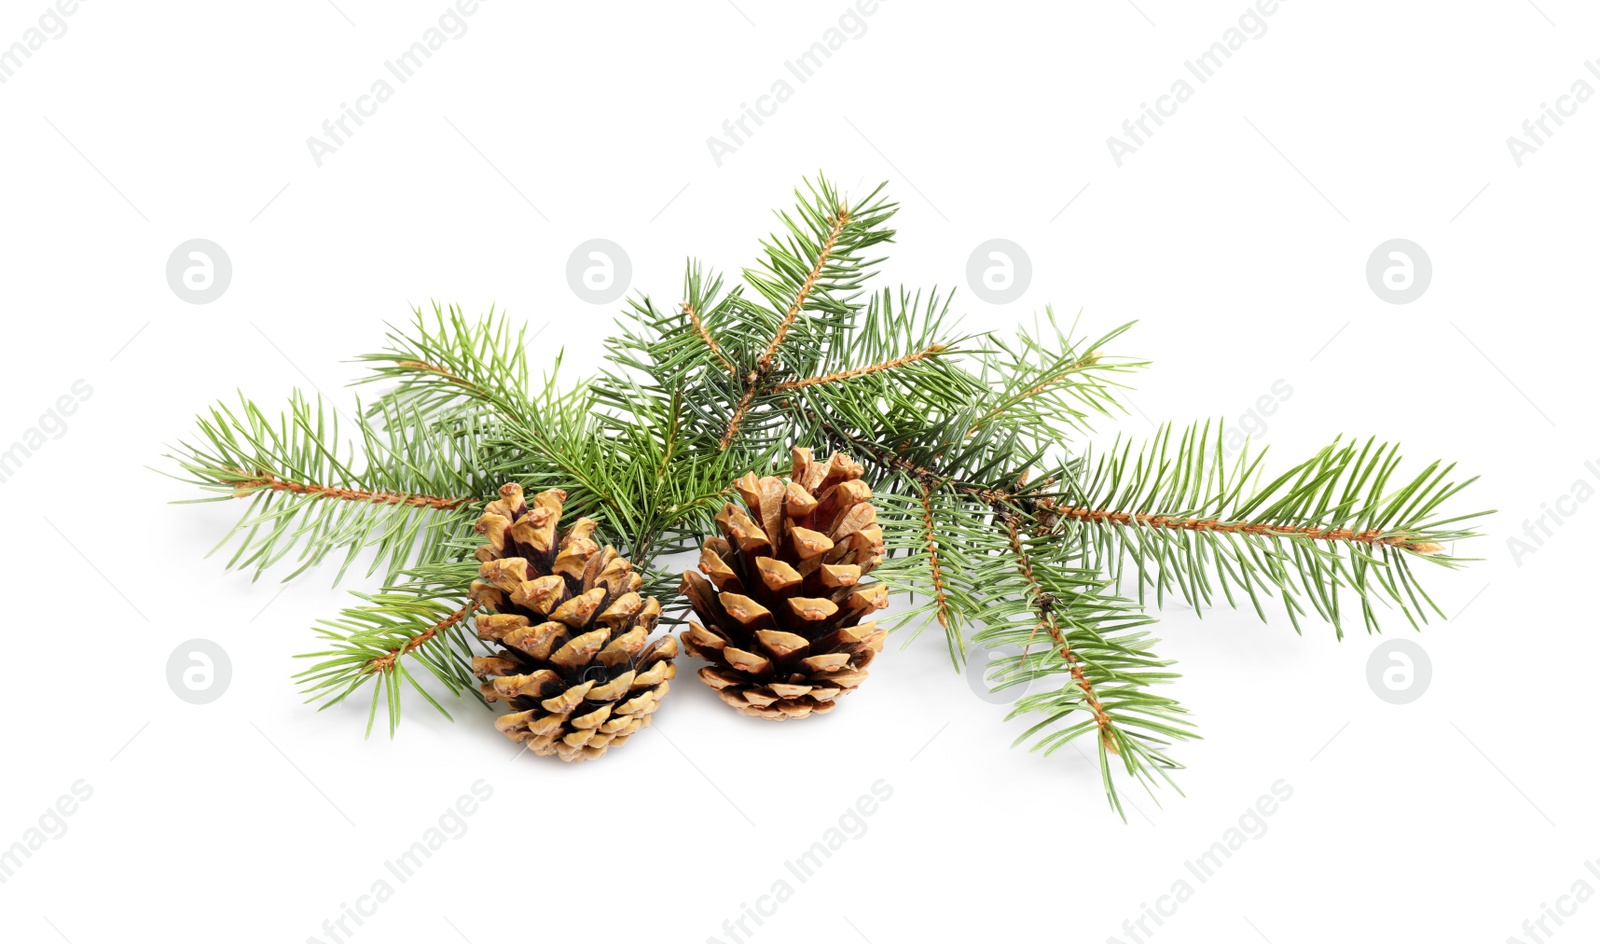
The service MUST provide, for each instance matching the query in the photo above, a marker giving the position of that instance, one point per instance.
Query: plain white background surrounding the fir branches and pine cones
(1238, 238)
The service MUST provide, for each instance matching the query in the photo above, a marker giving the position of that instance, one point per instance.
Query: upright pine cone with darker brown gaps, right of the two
(785, 598)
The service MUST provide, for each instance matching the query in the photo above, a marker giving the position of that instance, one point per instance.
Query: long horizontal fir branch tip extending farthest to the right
(1342, 521)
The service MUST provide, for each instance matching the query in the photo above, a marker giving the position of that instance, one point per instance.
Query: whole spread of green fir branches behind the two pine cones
(1004, 526)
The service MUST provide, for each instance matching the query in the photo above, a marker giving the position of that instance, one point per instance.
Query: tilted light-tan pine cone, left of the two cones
(575, 670)
